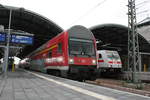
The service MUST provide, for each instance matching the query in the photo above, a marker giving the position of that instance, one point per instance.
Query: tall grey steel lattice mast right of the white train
(133, 45)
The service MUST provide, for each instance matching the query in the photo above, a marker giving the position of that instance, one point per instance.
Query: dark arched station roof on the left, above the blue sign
(31, 22)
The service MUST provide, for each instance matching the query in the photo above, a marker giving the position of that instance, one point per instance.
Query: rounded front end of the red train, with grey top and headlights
(82, 52)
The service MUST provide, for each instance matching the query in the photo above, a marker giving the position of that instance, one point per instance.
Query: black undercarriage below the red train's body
(80, 73)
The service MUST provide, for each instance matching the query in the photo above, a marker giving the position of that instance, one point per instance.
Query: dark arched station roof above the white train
(115, 37)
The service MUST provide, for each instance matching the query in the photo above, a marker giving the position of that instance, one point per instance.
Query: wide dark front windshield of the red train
(80, 47)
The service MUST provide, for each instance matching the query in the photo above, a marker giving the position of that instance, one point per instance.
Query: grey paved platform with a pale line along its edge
(27, 85)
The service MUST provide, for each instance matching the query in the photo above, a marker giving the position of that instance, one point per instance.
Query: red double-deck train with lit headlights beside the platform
(70, 54)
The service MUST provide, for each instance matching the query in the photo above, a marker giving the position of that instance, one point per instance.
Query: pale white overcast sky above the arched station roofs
(67, 13)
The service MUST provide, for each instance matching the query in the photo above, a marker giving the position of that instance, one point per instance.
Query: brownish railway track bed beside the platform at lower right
(142, 89)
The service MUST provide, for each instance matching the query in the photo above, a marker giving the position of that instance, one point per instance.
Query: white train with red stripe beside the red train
(109, 62)
